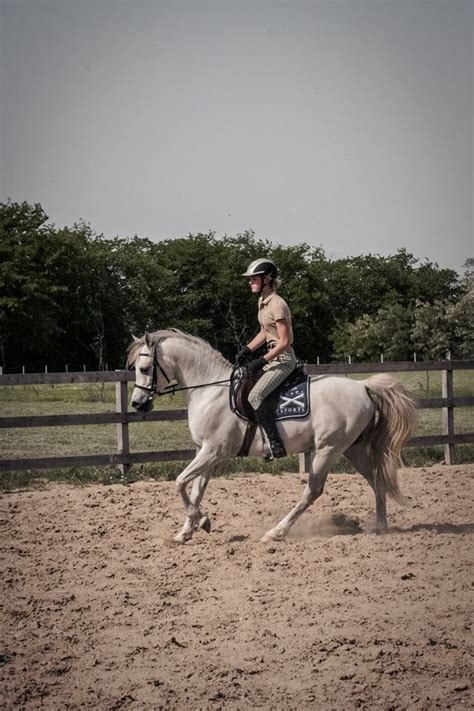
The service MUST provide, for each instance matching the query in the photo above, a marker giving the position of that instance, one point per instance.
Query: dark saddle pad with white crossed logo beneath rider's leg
(290, 399)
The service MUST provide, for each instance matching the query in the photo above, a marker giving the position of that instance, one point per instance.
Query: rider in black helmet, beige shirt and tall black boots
(279, 361)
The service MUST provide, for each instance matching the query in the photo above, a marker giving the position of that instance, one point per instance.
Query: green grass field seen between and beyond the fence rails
(94, 439)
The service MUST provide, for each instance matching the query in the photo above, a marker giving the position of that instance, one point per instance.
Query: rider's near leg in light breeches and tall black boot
(274, 374)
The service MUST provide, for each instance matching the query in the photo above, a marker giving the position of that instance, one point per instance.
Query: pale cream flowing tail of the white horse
(395, 424)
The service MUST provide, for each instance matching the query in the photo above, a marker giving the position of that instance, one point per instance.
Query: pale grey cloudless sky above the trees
(346, 124)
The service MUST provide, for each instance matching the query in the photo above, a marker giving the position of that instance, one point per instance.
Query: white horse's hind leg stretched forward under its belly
(320, 466)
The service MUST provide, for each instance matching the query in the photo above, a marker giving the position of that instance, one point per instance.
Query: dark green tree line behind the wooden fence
(69, 296)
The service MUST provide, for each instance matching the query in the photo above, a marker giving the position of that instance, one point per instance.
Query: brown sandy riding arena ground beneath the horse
(100, 610)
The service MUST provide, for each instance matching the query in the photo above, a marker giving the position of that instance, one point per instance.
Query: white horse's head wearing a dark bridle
(150, 377)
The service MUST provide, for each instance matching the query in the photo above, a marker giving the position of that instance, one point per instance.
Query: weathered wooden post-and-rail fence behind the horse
(123, 457)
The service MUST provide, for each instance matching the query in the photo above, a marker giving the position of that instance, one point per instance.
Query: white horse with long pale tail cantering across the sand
(344, 419)
